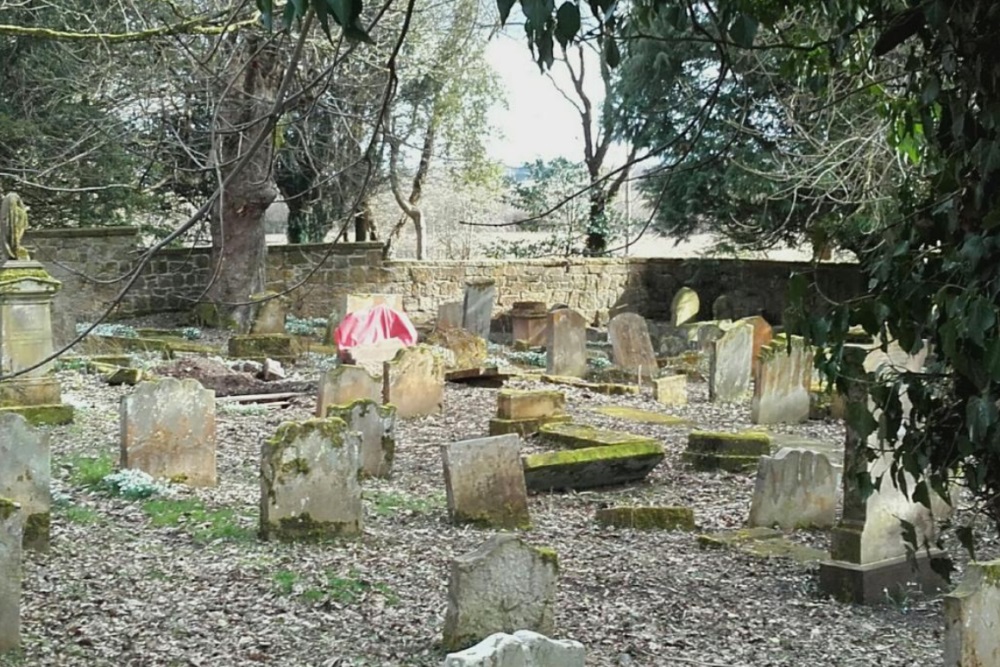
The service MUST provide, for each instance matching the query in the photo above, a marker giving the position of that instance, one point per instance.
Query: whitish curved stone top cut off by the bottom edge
(522, 649)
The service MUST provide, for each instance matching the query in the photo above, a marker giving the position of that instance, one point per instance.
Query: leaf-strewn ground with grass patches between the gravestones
(118, 590)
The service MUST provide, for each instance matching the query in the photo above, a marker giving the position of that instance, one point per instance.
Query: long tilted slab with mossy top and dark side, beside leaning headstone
(591, 467)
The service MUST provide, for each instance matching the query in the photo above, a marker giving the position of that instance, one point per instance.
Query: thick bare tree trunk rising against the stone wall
(239, 248)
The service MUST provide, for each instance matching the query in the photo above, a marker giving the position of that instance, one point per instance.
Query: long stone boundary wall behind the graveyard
(90, 262)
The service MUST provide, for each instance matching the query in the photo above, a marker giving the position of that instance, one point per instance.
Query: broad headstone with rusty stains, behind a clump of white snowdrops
(168, 431)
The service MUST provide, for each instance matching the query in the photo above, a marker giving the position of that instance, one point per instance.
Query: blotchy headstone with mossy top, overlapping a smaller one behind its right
(309, 487)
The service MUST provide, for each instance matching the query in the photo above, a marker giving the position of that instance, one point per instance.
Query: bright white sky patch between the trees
(539, 121)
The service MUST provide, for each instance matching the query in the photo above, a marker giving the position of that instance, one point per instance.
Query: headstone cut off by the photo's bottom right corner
(972, 618)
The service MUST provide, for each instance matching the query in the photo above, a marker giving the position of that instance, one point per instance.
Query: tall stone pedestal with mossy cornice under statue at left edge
(26, 292)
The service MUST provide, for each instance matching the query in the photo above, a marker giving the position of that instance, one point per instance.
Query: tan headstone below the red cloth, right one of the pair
(414, 382)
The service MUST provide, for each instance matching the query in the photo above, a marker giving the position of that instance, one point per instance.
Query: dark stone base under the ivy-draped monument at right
(869, 584)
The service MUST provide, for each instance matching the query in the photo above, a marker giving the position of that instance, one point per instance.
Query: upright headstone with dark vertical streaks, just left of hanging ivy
(781, 386)
